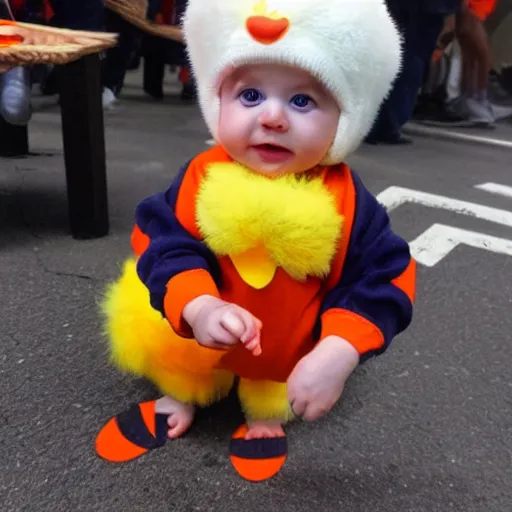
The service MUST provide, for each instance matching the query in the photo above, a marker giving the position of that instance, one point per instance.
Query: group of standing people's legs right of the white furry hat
(441, 32)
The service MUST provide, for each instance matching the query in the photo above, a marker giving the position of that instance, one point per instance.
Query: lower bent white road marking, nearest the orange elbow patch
(439, 240)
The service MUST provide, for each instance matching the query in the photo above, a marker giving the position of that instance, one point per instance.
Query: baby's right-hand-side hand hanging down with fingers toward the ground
(318, 379)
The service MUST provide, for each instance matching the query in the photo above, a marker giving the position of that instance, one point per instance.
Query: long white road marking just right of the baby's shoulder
(393, 197)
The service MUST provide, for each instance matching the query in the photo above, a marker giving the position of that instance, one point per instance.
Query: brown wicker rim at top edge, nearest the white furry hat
(134, 11)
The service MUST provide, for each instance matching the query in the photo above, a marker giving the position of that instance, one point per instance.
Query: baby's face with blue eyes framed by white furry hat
(276, 119)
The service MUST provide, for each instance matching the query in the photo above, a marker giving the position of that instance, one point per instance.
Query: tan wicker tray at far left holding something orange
(68, 46)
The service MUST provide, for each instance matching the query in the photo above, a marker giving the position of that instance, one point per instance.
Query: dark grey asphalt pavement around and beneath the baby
(425, 428)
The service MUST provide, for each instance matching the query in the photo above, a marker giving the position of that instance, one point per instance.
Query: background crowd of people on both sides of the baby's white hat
(429, 29)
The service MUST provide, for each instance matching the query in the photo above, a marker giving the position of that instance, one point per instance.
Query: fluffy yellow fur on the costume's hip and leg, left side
(143, 343)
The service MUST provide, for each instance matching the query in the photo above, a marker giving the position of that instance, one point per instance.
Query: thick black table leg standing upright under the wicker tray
(84, 146)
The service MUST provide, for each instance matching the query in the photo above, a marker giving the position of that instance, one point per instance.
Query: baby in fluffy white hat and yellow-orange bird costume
(266, 259)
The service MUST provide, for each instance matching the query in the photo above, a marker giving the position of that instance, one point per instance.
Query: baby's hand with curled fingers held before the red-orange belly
(219, 324)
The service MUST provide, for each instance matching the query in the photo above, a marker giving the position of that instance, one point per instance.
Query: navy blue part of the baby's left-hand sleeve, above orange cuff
(172, 250)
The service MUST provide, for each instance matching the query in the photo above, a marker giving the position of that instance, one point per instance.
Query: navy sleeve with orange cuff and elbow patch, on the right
(372, 302)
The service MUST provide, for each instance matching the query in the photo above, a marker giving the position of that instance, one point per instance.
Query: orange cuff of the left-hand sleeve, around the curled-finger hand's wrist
(182, 289)
